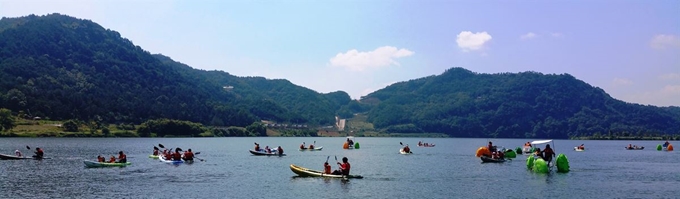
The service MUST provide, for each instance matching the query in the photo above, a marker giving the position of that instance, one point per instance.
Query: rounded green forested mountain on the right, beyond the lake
(462, 103)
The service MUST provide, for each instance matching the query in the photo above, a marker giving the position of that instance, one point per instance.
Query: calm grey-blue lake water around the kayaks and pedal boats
(449, 170)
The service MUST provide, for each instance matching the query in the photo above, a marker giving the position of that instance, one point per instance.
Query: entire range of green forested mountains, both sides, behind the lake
(61, 67)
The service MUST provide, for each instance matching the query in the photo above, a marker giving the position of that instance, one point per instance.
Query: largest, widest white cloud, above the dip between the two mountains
(359, 61)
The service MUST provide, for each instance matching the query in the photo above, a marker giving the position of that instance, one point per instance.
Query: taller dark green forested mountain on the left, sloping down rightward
(61, 67)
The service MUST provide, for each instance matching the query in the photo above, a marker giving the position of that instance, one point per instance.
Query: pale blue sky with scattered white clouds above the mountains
(629, 48)
